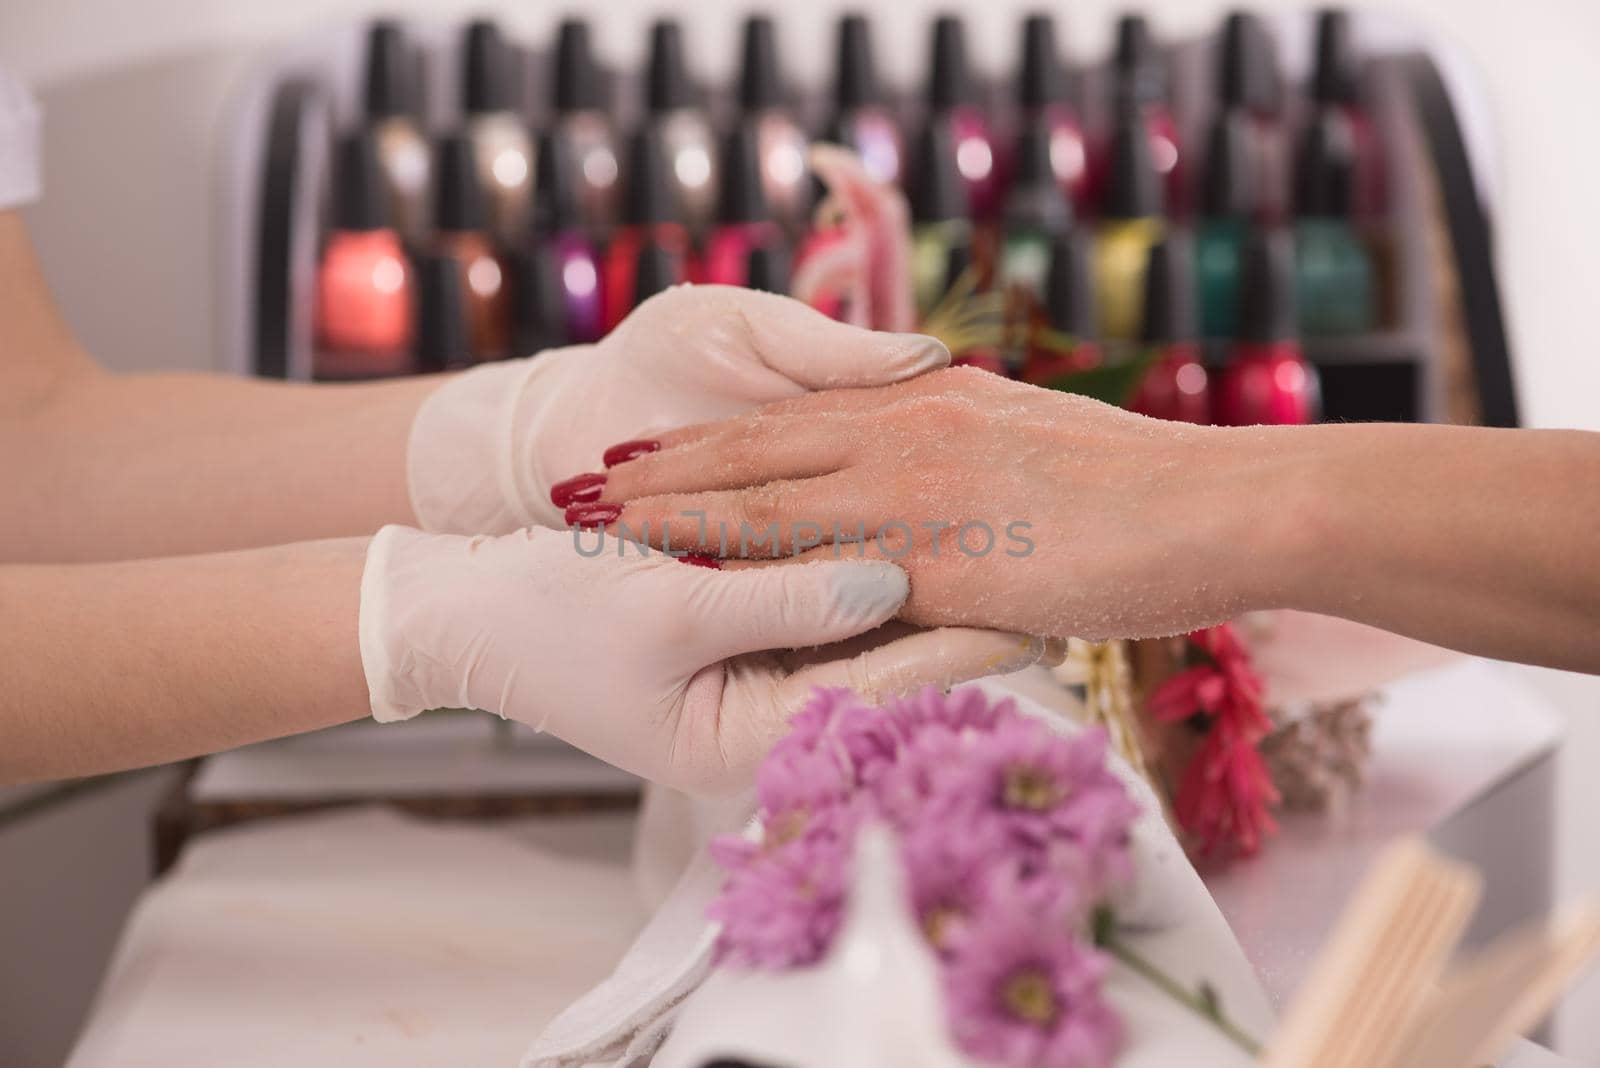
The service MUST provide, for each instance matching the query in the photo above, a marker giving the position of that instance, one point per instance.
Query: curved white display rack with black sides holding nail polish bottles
(1438, 354)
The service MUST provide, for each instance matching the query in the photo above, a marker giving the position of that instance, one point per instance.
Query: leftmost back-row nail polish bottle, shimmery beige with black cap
(393, 94)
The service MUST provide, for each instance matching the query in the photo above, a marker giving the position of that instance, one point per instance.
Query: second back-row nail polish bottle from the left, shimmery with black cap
(494, 121)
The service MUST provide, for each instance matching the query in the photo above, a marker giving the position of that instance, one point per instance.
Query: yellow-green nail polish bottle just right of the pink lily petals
(938, 213)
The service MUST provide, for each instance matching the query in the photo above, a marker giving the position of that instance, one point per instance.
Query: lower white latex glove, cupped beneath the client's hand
(650, 664)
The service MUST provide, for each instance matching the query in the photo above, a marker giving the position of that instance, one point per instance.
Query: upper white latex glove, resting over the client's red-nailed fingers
(489, 445)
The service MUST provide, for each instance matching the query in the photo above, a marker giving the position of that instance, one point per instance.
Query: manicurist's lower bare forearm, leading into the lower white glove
(132, 664)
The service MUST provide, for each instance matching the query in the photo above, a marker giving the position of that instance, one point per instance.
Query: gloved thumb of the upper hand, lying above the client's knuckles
(822, 354)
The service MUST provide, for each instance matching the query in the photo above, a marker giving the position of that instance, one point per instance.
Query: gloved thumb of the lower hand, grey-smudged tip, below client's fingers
(790, 607)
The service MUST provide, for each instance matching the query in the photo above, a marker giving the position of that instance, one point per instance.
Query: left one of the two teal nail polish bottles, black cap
(1226, 215)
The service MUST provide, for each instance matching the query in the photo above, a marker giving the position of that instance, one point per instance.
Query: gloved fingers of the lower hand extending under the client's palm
(932, 658)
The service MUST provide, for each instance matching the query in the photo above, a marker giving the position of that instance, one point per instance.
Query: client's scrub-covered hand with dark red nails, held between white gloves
(1010, 506)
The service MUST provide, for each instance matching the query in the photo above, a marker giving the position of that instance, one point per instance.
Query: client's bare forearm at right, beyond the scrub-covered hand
(1468, 538)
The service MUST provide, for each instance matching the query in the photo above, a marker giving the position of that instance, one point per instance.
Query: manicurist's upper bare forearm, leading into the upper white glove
(105, 468)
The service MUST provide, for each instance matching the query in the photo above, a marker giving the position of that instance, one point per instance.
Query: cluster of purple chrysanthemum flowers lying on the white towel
(1010, 837)
